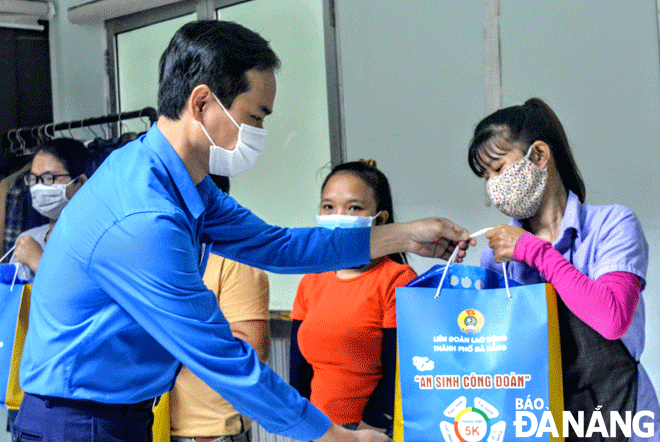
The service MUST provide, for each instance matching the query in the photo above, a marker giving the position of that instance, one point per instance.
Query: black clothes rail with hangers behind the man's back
(19, 136)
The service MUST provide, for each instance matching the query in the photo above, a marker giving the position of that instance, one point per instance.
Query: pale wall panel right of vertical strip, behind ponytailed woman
(597, 65)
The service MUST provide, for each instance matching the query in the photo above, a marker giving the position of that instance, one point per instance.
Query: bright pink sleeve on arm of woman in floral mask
(607, 304)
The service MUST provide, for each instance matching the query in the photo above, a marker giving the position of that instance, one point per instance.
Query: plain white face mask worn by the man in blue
(250, 146)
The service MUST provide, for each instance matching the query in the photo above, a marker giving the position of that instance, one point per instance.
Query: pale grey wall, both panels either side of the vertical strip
(413, 91)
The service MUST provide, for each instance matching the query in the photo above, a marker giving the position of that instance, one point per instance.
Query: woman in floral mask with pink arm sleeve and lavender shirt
(596, 257)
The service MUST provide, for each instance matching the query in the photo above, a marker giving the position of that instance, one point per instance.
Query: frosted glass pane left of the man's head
(138, 53)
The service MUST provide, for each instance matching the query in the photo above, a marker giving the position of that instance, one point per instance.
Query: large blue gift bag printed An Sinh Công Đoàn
(473, 364)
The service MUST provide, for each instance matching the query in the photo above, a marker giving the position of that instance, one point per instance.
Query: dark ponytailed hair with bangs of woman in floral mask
(521, 126)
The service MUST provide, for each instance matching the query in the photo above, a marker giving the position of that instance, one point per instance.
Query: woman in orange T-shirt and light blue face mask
(343, 341)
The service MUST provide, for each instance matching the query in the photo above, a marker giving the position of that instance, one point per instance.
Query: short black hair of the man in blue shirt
(214, 53)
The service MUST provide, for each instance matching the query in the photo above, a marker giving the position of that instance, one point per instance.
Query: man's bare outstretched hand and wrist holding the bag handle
(429, 237)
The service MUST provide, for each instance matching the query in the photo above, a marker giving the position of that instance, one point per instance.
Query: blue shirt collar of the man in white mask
(155, 139)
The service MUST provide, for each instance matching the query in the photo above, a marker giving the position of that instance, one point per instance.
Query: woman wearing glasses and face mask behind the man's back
(58, 170)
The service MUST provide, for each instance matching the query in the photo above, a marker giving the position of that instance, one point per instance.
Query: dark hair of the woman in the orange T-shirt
(366, 170)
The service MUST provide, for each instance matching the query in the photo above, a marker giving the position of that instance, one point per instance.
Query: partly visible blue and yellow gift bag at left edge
(14, 313)
